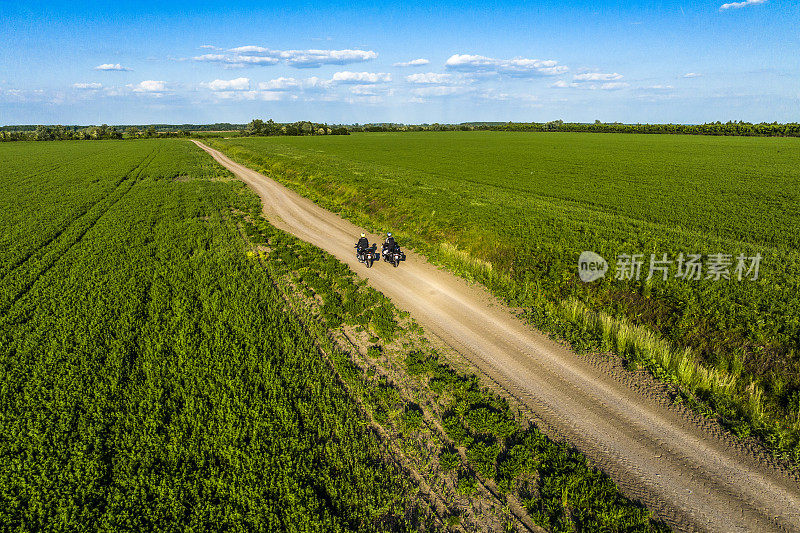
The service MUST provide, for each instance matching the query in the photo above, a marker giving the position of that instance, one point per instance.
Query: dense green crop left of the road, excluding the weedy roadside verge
(151, 377)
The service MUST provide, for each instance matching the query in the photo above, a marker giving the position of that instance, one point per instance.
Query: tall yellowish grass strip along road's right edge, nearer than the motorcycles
(727, 392)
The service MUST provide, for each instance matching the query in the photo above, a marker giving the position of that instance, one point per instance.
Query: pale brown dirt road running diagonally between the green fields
(692, 477)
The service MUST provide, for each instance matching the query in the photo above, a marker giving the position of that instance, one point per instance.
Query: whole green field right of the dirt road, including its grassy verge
(515, 210)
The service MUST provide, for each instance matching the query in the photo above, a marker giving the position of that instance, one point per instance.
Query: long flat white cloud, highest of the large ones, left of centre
(251, 55)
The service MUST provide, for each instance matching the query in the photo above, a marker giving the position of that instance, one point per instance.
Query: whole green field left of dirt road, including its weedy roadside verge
(160, 369)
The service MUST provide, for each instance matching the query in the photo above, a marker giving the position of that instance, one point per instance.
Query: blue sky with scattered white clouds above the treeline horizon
(200, 62)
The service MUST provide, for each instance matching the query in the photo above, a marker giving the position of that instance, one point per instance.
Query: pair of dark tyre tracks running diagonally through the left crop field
(20, 280)
